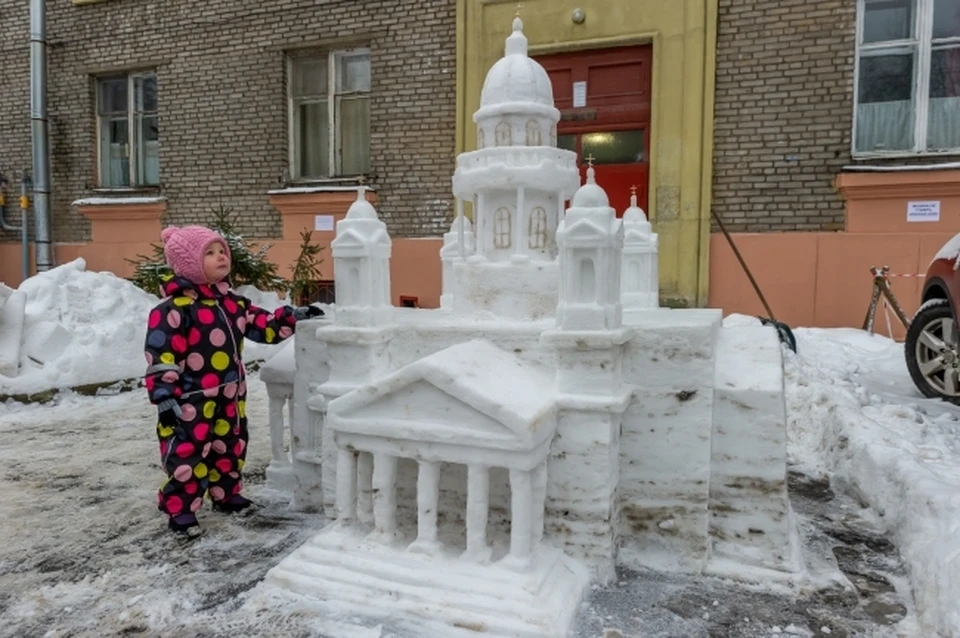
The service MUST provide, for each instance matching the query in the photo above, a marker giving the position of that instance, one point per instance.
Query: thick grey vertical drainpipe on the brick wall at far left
(38, 133)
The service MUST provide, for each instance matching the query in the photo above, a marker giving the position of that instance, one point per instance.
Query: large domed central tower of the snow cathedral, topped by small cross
(517, 182)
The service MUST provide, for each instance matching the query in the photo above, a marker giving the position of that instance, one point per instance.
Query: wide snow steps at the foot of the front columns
(341, 566)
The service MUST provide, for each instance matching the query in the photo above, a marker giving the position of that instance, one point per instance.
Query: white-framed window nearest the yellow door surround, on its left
(330, 114)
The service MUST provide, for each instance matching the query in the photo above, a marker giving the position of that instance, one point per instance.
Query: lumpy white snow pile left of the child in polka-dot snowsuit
(80, 327)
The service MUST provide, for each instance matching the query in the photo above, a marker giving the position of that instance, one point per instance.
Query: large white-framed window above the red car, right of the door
(908, 77)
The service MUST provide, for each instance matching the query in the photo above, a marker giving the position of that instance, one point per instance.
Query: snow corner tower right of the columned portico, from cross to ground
(592, 397)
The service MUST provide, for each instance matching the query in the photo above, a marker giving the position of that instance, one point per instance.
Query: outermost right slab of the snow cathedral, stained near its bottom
(750, 515)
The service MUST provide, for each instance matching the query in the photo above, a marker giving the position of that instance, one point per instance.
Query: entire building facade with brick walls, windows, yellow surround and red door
(810, 126)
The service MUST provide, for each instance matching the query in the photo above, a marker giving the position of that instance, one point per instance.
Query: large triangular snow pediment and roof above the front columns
(470, 394)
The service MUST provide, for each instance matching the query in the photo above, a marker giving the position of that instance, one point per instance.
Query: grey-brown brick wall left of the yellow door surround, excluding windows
(222, 99)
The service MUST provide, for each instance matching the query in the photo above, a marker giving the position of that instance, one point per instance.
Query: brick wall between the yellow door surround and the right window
(784, 113)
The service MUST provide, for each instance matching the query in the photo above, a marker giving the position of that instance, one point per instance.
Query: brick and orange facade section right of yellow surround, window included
(832, 116)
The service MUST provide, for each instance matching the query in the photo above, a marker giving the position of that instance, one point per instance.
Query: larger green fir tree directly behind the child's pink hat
(249, 264)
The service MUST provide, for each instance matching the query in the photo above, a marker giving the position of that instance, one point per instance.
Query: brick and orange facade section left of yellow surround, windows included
(160, 111)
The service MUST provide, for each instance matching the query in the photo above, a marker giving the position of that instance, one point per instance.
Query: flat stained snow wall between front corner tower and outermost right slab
(665, 446)
